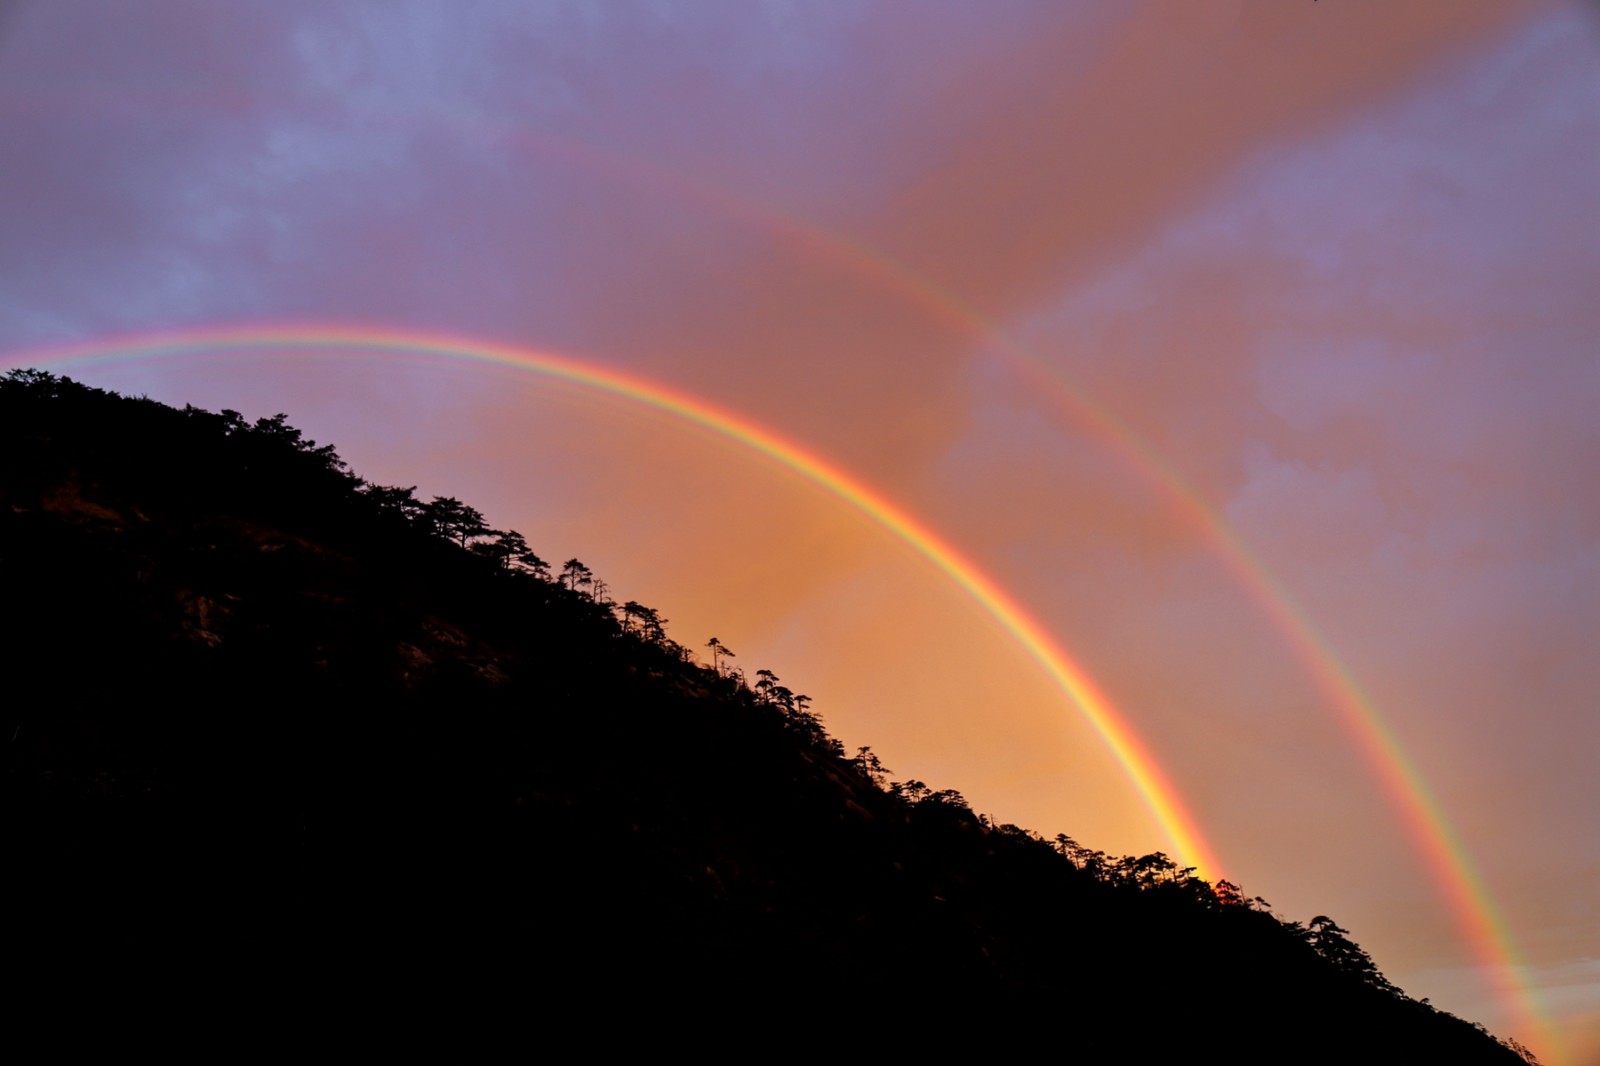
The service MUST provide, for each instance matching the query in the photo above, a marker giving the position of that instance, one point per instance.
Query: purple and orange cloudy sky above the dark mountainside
(1246, 355)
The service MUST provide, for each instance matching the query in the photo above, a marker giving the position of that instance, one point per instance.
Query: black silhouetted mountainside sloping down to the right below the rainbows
(274, 739)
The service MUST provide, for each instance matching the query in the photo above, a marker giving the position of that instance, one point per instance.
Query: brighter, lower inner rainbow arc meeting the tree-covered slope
(1150, 782)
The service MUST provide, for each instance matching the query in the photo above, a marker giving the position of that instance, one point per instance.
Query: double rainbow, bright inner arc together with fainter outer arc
(1426, 822)
